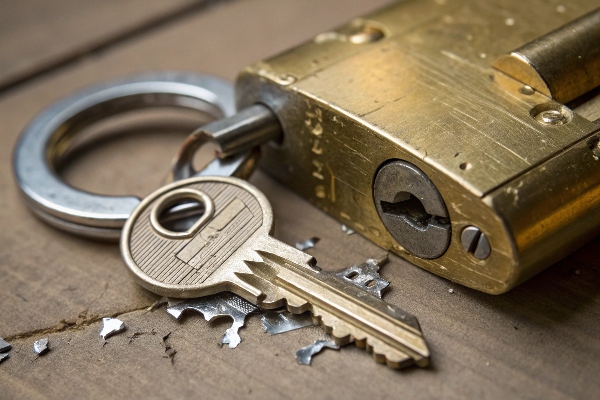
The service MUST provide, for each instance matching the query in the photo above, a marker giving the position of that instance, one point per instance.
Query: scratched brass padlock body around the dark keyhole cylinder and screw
(426, 92)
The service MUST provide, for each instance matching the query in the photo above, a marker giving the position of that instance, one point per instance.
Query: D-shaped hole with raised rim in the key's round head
(181, 213)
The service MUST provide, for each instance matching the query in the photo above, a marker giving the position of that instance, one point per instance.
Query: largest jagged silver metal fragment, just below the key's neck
(218, 305)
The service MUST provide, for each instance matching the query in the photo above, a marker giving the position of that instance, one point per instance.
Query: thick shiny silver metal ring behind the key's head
(44, 140)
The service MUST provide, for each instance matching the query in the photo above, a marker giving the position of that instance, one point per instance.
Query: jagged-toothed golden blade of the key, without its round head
(348, 313)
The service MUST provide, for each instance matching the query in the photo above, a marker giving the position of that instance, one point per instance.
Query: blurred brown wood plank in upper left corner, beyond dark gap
(38, 34)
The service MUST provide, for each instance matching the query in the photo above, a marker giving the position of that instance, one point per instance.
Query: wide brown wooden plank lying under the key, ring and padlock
(541, 340)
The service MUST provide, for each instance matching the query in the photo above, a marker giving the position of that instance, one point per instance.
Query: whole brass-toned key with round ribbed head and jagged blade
(230, 248)
